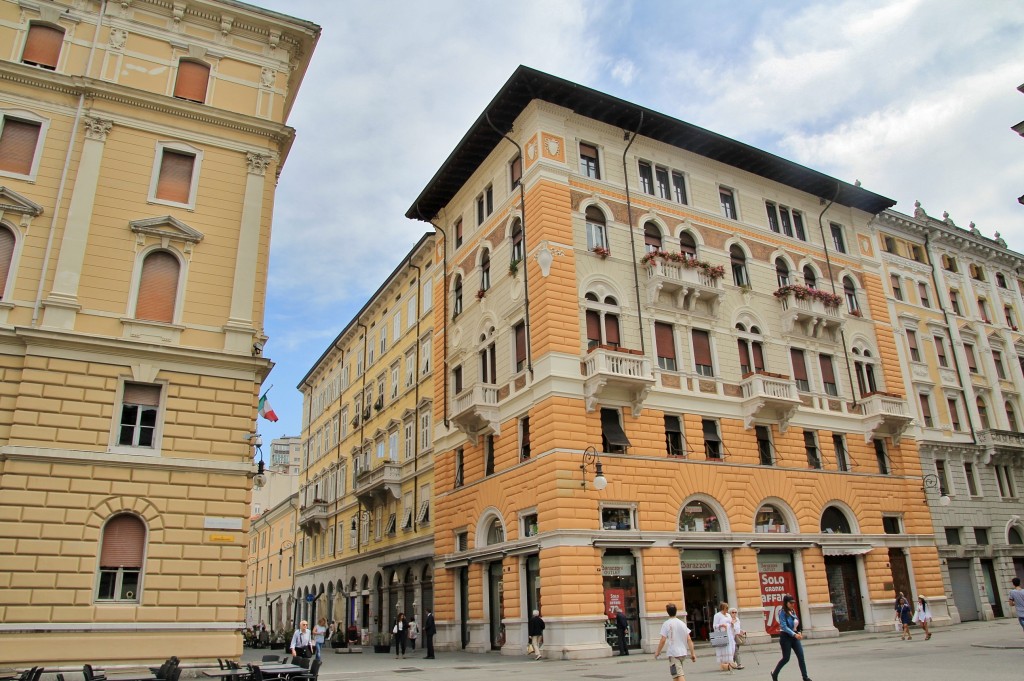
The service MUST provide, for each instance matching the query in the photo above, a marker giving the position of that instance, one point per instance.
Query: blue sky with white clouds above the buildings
(916, 99)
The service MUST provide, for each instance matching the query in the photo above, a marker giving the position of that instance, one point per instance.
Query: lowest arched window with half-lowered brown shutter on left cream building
(121, 557)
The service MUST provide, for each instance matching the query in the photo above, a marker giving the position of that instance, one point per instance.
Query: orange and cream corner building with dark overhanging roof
(653, 359)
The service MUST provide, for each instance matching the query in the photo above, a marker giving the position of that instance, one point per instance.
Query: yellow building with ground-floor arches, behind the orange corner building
(366, 524)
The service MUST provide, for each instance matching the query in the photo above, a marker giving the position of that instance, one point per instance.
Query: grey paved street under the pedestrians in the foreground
(992, 651)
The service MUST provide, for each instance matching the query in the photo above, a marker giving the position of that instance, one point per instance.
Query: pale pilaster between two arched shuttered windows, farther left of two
(62, 305)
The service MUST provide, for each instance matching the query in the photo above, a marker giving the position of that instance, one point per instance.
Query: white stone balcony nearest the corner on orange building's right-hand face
(616, 374)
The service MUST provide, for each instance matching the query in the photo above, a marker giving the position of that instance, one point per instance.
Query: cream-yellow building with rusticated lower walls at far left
(140, 146)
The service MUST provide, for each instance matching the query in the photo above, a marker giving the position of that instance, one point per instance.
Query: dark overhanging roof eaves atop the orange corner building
(528, 84)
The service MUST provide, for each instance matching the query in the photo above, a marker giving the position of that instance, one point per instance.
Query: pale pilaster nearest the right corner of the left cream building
(239, 330)
